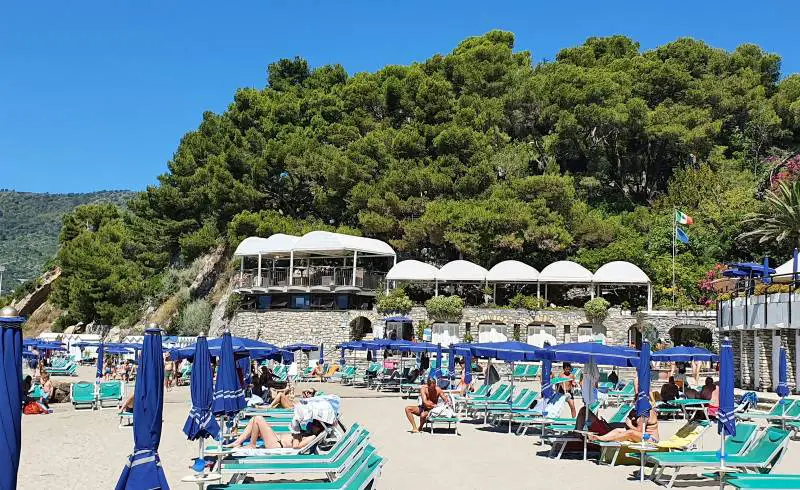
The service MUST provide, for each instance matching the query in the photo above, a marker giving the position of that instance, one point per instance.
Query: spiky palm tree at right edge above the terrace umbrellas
(779, 219)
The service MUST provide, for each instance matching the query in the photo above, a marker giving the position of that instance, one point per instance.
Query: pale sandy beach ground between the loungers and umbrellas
(82, 449)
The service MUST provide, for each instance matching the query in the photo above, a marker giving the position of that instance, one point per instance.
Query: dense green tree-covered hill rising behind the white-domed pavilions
(477, 154)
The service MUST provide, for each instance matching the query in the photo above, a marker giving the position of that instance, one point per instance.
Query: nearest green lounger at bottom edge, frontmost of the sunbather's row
(359, 476)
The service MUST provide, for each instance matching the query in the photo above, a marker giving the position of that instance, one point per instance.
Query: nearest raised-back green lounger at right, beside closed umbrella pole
(762, 454)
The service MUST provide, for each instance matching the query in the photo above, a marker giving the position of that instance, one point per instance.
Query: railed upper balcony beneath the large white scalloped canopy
(318, 278)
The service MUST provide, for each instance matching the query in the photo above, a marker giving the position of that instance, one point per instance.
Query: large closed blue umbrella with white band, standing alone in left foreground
(144, 470)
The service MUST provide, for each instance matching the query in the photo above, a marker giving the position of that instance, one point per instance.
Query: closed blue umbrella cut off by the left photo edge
(10, 396)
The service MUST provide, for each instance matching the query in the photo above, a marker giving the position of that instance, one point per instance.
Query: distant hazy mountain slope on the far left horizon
(29, 227)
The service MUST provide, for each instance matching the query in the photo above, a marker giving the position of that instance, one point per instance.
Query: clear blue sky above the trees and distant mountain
(96, 95)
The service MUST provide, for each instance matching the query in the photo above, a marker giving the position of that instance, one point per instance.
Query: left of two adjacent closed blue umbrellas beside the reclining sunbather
(201, 423)
